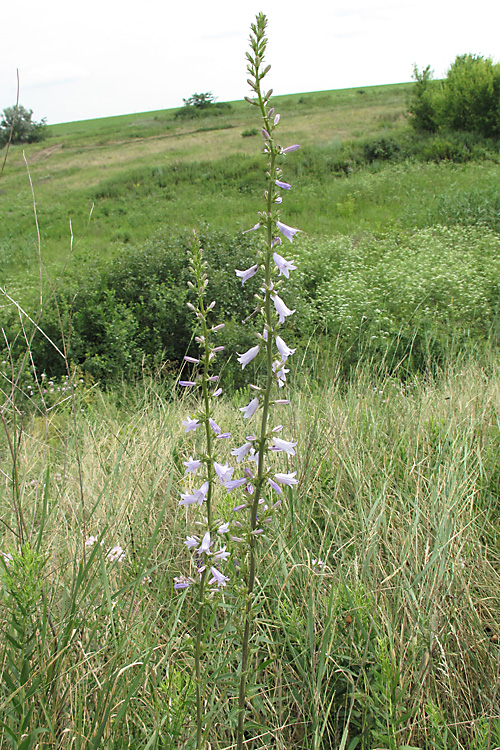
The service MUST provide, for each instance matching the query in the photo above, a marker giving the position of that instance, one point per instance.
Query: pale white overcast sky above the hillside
(97, 58)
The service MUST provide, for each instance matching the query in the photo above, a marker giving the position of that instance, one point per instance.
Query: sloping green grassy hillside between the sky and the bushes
(133, 174)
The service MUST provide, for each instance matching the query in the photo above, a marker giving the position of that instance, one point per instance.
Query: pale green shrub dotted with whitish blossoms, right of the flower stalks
(408, 297)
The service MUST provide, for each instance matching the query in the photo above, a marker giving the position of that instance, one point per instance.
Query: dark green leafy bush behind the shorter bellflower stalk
(132, 314)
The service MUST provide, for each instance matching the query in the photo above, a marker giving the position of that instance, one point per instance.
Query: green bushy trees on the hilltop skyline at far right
(468, 99)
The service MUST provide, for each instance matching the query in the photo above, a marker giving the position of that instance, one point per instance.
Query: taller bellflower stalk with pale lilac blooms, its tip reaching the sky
(273, 311)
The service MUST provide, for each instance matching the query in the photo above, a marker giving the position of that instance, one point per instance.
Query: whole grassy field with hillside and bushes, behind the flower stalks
(376, 599)
